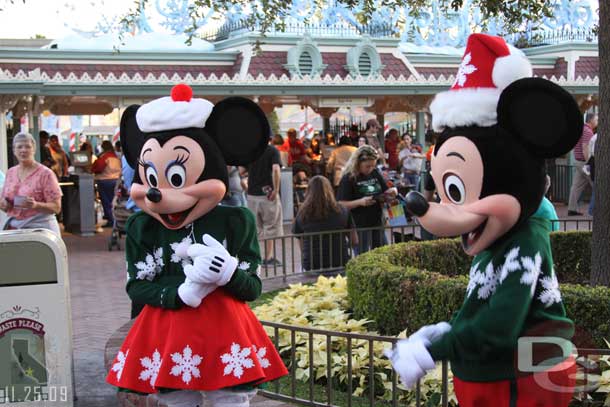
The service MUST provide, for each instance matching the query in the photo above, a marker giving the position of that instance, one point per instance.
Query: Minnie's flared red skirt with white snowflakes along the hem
(217, 345)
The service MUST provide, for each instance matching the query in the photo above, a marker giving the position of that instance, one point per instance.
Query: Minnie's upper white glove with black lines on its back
(212, 263)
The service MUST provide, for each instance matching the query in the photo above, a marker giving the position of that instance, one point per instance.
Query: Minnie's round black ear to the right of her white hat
(240, 129)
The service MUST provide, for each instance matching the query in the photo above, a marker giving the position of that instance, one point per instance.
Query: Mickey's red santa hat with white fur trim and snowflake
(488, 66)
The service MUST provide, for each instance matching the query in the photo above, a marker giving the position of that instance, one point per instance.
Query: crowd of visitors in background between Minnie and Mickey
(338, 186)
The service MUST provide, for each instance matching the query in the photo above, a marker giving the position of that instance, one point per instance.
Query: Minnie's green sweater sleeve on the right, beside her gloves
(245, 284)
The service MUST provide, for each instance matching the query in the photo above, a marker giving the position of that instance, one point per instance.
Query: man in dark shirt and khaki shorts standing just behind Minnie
(264, 200)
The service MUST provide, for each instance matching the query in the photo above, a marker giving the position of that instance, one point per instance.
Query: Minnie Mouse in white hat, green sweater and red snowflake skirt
(195, 332)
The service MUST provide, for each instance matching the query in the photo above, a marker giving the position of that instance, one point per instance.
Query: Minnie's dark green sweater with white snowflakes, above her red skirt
(154, 269)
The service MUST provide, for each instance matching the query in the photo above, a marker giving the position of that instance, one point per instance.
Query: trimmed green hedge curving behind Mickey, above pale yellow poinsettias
(408, 285)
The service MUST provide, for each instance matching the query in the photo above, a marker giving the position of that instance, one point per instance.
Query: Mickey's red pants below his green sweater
(552, 388)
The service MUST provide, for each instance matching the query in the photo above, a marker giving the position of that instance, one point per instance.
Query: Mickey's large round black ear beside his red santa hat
(542, 115)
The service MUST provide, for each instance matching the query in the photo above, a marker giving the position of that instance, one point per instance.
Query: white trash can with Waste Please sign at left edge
(35, 320)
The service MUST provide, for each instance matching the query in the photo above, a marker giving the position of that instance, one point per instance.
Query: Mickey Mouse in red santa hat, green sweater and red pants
(498, 125)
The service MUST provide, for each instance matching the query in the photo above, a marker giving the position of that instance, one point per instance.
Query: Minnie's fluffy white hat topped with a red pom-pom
(178, 111)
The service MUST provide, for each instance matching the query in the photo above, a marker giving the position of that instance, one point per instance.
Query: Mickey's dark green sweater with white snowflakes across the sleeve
(512, 293)
